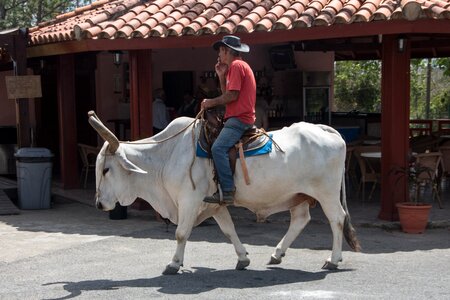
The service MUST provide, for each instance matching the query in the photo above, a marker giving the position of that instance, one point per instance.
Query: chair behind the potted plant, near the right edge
(430, 163)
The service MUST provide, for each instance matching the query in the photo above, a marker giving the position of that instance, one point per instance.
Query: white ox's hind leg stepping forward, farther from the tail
(299, 218)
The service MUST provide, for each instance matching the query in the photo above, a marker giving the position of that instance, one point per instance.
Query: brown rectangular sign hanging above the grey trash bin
(27, 86)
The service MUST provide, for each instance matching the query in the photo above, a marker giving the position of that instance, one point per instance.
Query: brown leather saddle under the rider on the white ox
(253, 138)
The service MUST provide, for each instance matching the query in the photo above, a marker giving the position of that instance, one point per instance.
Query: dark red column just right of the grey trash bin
(67, 121)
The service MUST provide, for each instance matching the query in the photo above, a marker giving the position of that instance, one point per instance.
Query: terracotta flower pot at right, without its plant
(413, 216)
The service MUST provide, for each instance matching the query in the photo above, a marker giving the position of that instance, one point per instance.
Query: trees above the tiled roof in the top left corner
(27, 13)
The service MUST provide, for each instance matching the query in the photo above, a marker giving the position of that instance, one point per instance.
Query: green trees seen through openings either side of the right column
(357, 87)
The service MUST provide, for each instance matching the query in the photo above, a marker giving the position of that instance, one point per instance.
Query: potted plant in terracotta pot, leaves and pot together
(414, 214)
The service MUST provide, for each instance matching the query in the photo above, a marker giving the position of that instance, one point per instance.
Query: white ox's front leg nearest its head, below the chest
(184, 230)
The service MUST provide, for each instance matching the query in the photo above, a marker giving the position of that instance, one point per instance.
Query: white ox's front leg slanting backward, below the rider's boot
(226, 224)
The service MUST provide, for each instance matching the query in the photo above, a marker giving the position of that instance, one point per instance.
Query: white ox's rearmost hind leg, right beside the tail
(336, 216)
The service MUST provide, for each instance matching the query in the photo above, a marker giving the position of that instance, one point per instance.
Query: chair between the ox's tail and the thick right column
(370, 172)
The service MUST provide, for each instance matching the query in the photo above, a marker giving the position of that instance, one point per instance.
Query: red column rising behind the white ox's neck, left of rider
(141, 94)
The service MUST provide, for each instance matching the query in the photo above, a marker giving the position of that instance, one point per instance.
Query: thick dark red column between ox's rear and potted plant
(395, 93)
